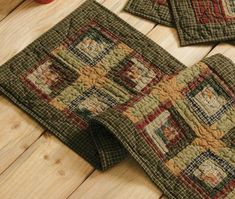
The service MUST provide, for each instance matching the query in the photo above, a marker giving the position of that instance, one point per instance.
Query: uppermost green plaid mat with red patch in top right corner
(200, 21)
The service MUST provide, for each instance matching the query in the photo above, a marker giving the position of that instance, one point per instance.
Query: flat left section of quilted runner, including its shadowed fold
(90, 61)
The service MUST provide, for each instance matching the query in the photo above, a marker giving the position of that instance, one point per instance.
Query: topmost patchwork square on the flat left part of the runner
(91, 46)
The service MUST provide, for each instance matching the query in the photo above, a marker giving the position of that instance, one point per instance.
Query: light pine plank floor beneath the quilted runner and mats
(34, 164)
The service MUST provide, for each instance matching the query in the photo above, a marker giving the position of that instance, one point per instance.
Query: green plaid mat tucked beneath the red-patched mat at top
(155, 10)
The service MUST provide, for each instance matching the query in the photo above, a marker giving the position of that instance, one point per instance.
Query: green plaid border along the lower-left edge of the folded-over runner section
(113, 122)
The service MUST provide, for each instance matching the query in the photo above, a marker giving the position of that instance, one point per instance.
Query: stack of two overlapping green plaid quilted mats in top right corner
(196, 21)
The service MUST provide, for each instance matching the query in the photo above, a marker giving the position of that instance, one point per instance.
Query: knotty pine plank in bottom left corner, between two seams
(47, 169)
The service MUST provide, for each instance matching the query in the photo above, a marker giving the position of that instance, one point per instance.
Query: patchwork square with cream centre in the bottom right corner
(212, 176)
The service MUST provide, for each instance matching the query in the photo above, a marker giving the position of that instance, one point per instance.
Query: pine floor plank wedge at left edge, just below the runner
(17, 133)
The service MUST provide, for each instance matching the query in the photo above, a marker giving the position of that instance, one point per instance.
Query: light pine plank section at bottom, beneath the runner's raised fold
(126, 180)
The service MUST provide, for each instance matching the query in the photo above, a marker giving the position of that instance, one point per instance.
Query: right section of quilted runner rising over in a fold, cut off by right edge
(182, 130)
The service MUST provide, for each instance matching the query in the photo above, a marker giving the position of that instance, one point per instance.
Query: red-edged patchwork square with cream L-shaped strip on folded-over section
(166, 131)
